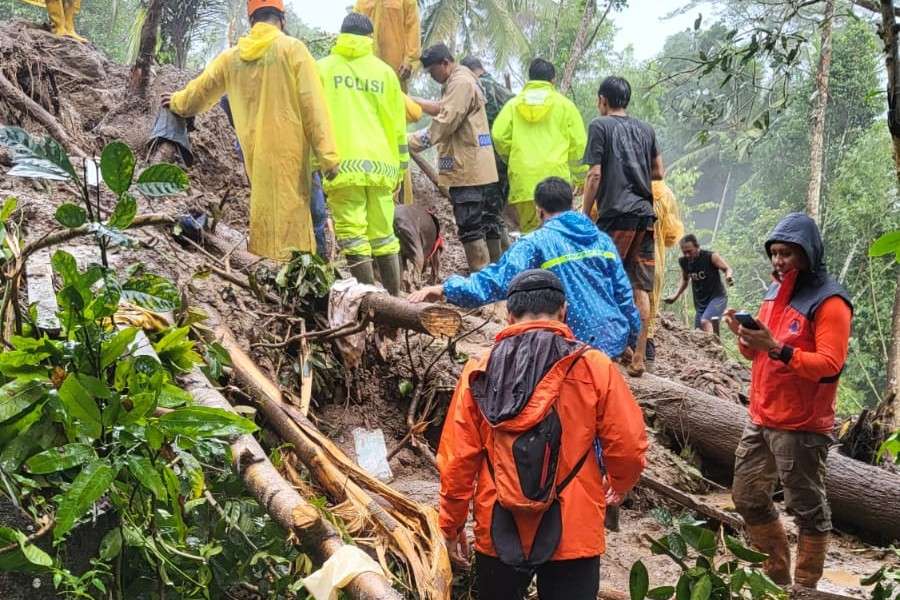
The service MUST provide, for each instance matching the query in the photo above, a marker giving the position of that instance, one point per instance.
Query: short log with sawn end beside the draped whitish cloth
(434, 319)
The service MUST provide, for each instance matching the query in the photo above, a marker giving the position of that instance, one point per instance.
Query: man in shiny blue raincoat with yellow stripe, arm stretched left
(601, 312)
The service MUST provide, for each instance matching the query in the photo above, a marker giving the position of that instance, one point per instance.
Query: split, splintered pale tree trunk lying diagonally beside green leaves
(411, 529)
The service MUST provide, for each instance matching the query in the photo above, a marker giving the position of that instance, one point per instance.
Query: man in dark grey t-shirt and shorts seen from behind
(624, 160)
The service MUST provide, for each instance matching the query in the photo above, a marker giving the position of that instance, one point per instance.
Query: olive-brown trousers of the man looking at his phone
(797, 458)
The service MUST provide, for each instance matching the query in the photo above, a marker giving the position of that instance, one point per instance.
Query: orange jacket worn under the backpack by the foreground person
(594, 402)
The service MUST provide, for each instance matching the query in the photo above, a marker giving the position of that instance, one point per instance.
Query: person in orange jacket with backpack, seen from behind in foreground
(538, 435)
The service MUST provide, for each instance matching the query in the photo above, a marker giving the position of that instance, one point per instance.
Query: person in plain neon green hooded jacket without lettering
(539, 134)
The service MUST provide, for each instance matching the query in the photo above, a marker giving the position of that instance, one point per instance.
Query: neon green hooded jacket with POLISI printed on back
(368, 112)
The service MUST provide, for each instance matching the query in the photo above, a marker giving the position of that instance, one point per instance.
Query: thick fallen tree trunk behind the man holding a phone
(861, 496)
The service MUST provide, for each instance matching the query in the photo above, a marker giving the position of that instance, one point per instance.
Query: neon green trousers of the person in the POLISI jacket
(364, 220)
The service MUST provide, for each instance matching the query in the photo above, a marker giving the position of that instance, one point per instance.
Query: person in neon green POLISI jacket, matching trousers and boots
(369, 111)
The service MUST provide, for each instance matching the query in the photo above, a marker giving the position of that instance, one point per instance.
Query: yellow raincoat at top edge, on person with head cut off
(397, 31)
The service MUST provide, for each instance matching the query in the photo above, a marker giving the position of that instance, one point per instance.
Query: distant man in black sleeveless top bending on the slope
(703, 269)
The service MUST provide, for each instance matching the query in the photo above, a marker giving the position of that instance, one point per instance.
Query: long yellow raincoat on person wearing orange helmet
(280, 116)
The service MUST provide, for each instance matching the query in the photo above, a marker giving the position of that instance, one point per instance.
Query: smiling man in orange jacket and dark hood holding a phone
(799, 349)
